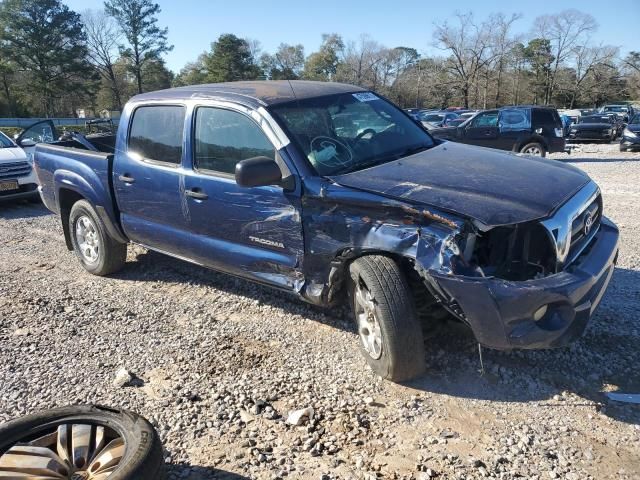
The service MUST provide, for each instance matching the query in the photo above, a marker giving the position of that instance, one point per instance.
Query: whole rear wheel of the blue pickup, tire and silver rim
(97, 251)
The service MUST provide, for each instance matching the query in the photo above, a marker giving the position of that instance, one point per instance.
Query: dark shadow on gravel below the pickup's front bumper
(605, 359)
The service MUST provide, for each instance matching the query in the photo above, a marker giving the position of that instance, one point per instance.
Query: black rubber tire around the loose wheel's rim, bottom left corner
(142, 459)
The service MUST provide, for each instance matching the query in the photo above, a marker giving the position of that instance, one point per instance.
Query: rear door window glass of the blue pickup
(156, 133)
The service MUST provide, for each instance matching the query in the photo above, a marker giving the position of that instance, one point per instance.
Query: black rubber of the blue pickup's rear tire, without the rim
(111, 254)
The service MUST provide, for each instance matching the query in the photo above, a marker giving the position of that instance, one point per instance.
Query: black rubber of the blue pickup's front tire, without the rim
(402, 348)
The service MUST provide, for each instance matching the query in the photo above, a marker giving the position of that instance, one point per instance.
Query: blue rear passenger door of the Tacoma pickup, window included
(148, 178)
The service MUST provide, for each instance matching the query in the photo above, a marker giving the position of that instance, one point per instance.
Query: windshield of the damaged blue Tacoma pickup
(351, 131)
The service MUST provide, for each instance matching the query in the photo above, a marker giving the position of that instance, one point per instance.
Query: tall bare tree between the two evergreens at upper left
(103, 38)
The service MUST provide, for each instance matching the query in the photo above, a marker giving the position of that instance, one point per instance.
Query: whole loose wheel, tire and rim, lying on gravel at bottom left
(80, 443)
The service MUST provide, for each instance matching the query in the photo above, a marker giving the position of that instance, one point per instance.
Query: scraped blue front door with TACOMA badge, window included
(251, 232)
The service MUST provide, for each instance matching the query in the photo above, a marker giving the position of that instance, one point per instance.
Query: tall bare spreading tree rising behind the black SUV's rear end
(565, 31)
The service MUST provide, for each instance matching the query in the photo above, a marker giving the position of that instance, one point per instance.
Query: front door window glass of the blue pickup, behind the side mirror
(224, 137)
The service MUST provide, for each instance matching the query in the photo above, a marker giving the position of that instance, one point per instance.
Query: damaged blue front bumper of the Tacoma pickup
(500, 312)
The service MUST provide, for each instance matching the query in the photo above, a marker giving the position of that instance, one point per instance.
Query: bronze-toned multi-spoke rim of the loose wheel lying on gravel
(70, 452)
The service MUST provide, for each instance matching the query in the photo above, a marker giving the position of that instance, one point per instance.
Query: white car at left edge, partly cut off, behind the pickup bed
(17, 177)
